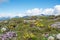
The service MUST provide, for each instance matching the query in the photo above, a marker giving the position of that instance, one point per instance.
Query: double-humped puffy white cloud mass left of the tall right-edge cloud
(38, 11)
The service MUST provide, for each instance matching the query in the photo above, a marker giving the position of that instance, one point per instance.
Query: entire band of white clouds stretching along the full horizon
(35, 11)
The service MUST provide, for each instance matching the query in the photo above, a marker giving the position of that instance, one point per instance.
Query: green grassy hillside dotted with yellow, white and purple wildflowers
(30, 27)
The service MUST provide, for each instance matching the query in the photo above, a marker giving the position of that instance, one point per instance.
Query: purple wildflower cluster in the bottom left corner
(8, 35)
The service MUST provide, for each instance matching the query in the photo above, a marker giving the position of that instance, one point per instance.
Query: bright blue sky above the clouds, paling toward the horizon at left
(15, 7)
